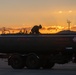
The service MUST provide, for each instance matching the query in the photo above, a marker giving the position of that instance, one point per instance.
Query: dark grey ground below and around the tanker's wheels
(66, 69)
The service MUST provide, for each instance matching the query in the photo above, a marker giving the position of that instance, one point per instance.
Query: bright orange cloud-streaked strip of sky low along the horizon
(44, 30)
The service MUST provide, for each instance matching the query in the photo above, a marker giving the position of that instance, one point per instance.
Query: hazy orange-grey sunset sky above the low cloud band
(23, 13)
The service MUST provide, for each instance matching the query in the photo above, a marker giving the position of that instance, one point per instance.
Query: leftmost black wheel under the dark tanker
(16, 62)
